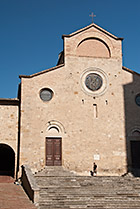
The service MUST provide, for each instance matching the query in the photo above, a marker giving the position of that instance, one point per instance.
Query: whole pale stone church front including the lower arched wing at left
(85, 109)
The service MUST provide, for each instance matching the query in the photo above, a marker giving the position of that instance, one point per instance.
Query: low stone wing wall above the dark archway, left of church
(9, 124)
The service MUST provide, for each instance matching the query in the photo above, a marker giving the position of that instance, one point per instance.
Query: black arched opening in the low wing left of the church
(7, 160)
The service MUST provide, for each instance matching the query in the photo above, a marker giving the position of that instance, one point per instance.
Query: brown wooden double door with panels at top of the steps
(53, 152)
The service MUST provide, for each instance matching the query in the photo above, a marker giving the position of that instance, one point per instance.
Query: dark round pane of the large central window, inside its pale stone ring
(93, 81)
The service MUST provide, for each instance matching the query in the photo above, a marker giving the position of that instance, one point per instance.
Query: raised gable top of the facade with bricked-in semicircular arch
(92, 41)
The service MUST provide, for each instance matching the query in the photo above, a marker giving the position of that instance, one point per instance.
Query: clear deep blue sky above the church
(31, 31)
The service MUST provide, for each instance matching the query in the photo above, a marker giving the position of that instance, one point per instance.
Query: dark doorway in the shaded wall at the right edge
(135, 154)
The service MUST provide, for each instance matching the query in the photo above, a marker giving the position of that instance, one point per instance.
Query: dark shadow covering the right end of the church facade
(132, 124)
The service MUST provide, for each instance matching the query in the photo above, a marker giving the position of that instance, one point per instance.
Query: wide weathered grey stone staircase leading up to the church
(60, 188)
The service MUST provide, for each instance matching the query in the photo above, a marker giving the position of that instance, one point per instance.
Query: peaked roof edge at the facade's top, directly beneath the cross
(89, 26)
